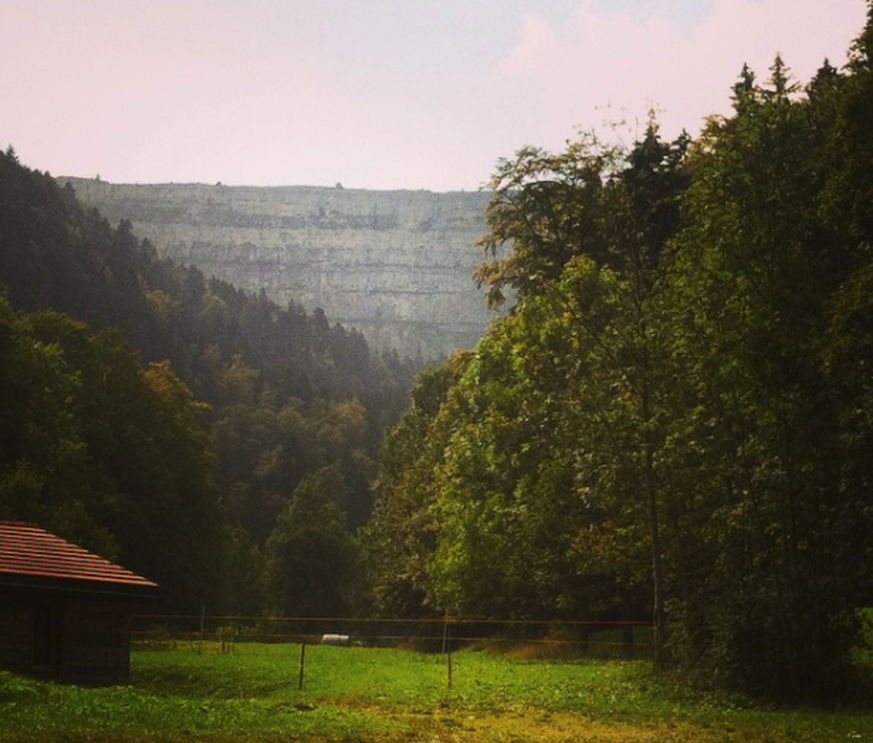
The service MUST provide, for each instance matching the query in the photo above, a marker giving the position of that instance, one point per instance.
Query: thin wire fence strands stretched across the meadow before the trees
(546, 639)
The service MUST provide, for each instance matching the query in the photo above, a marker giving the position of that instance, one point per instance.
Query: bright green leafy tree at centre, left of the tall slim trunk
(514, 517)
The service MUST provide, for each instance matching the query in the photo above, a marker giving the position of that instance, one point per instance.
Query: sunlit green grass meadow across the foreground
(386, 696)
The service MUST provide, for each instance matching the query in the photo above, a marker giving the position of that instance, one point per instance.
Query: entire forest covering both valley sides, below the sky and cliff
(672, 423)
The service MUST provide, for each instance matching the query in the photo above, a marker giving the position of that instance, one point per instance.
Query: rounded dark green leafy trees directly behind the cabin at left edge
(109, 454)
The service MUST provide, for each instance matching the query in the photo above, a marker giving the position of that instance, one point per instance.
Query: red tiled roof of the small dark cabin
(29, 552)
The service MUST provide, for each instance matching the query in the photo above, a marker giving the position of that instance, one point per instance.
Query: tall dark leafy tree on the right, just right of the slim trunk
(755, 267)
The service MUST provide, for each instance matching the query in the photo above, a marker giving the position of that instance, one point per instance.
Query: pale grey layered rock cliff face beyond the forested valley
(397, 265)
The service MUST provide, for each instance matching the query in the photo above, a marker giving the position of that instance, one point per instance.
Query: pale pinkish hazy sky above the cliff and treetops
(373, 93)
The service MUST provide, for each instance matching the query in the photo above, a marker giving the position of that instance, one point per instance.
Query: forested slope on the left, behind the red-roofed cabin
(172, 421)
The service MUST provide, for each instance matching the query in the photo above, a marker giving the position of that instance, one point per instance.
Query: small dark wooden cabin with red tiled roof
(65, 612)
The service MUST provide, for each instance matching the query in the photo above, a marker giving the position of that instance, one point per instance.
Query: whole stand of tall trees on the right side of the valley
(676, 419)
